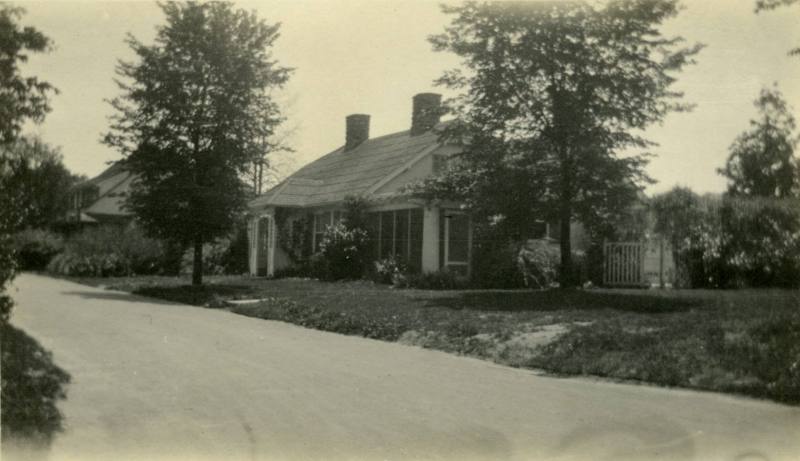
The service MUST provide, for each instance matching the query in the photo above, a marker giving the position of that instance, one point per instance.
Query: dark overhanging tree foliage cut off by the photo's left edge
(21, 99)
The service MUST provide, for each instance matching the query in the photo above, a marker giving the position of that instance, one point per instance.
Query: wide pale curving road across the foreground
(159, 381)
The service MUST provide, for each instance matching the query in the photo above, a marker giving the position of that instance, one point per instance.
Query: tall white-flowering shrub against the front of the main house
(343, 253)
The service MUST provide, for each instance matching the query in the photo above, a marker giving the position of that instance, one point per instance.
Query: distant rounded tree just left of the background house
(40, 179)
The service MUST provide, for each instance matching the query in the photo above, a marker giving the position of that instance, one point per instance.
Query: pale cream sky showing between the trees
(372, 56)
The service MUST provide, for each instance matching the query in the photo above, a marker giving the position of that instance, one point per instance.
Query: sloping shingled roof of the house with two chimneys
(340, 173)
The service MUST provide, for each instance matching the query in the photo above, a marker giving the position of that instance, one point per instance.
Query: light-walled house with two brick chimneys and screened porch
(428, 237)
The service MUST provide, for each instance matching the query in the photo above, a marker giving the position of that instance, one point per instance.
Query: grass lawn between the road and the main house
(744, 341)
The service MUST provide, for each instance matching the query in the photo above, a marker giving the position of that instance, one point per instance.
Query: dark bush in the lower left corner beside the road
(32, 385)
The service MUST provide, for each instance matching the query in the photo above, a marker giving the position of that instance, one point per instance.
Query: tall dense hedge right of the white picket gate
(731, 242)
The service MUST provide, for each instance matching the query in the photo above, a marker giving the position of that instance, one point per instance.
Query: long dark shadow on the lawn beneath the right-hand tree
(552, 300)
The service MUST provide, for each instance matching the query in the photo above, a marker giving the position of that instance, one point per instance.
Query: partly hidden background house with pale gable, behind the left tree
(100, 200)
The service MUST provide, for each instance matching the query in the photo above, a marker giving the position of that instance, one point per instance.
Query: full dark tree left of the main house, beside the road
(193, 119)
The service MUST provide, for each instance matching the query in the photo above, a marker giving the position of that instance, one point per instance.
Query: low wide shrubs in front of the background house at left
(109, 251)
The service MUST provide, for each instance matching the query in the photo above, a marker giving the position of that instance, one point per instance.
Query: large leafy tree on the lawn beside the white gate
(552, 96)
